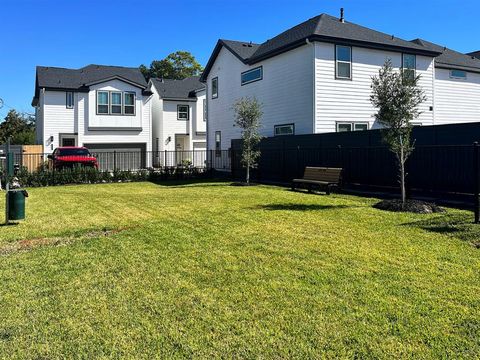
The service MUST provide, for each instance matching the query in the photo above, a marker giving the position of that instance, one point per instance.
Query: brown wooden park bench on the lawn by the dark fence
(319, 177)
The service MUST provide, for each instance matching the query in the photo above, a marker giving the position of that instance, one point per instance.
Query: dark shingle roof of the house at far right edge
(450, 58)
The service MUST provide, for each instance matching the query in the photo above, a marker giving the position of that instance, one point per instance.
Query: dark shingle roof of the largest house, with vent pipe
(324, 28)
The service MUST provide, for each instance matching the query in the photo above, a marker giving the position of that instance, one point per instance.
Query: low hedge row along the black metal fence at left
(94, 176)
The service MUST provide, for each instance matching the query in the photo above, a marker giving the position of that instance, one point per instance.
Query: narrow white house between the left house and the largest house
(178, 109)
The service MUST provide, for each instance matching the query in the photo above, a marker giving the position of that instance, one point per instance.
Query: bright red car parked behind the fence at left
(70, 156)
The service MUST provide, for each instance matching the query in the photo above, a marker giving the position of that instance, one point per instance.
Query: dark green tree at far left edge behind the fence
(19, 128)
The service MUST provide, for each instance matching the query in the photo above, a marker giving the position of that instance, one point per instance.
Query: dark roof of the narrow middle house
(178, 89)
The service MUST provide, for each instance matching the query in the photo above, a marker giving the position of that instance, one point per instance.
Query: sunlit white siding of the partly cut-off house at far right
(456, 101)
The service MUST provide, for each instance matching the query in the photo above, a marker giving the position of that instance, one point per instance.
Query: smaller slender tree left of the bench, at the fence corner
(248, 112)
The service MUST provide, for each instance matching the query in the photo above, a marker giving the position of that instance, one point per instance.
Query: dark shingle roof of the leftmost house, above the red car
(57, 78)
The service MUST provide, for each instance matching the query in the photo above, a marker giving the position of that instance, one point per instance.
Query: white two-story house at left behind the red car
(104, 108)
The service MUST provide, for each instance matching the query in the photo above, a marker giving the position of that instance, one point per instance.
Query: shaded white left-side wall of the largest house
(285, 92)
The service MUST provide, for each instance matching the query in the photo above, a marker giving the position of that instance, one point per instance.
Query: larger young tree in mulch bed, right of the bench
(397, 96)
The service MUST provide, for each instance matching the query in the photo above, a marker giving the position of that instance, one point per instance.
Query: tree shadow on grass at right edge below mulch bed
(454, 225)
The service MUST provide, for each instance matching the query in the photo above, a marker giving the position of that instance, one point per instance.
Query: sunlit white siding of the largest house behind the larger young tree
(349, 100)
